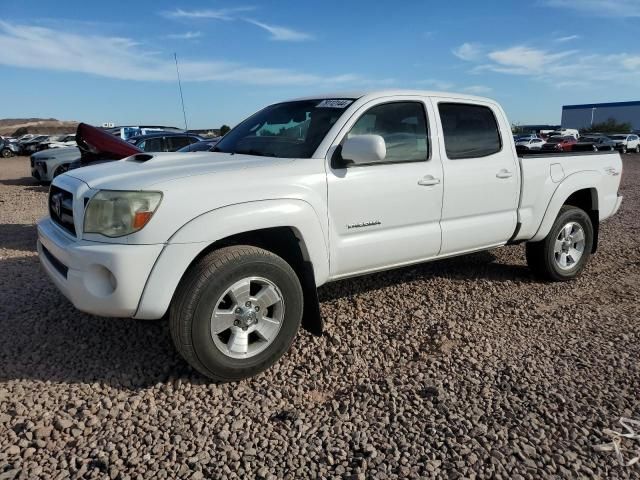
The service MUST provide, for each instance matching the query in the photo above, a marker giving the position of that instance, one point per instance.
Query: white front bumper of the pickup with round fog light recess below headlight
(103, 279)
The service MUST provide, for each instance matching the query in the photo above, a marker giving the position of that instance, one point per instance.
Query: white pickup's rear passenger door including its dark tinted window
(482, 177)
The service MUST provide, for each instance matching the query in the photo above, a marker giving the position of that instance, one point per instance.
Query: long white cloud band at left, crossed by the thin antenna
(122, 58)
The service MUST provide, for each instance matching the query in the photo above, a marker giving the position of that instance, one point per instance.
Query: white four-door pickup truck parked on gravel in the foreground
(231, 245)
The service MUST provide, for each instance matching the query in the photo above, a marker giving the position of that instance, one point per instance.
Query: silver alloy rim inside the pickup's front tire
(247, 317)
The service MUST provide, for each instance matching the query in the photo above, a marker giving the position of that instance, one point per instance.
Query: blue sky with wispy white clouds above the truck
(113, 61)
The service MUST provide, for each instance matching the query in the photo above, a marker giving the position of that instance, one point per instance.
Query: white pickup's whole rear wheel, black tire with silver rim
(543, 257)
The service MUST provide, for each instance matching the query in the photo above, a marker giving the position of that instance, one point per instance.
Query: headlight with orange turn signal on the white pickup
(115, 213)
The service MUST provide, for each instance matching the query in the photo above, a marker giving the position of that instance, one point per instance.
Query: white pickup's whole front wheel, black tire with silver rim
(207, 288)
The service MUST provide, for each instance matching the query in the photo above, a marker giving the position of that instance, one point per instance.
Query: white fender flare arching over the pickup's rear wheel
(585, 180)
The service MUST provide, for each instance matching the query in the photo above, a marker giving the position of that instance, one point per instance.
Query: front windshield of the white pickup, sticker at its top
(287, 130)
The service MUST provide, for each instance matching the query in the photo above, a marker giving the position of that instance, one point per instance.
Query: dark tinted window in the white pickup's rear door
(469, 130)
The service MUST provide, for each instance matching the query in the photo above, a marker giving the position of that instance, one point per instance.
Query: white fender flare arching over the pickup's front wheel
(199, 233)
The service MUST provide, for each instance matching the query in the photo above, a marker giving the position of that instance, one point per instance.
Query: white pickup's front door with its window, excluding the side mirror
(387, 214)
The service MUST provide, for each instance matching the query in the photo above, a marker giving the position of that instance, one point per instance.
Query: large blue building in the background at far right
(583, 116)
